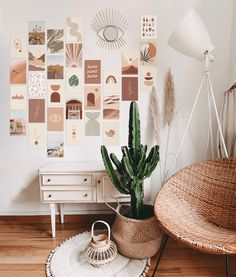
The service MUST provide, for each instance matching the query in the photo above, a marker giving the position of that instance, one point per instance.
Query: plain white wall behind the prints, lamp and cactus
(19, 190)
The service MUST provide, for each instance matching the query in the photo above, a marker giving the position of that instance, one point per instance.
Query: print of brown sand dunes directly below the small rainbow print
(111, 107)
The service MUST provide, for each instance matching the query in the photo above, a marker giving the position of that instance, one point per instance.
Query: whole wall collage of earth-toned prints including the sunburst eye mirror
(58, 98)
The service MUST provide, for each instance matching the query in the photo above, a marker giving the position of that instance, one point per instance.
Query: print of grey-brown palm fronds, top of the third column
(55, 41)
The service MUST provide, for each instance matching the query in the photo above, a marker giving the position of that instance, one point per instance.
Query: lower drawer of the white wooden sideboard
(70, 196)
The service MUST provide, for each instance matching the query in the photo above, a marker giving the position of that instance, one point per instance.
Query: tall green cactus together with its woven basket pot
(135, 230)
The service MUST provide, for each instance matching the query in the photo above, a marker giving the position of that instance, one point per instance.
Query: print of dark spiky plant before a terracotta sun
(148, 53)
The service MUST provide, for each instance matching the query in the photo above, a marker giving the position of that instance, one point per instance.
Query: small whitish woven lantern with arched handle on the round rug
(101, 250)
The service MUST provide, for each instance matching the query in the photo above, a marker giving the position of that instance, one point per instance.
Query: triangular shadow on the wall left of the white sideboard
(30, 194)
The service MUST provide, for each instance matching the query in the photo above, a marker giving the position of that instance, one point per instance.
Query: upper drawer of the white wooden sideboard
(70, 179)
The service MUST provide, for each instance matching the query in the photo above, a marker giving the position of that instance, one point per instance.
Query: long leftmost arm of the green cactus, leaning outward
(111, 171)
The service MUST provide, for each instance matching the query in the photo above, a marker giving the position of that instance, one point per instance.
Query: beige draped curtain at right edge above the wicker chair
(228, 118)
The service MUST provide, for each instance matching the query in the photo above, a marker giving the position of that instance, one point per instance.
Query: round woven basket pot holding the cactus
(136, 238)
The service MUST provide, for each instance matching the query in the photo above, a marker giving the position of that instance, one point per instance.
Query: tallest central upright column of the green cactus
(134, 130)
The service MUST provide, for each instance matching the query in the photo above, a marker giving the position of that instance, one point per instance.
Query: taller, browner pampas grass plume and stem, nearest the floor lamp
(169, 111)
